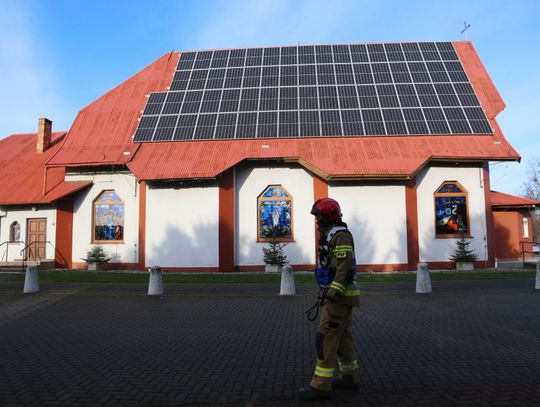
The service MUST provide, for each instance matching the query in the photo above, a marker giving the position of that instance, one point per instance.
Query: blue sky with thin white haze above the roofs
(57, 56)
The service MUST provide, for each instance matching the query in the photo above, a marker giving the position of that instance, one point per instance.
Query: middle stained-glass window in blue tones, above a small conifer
(274, 214)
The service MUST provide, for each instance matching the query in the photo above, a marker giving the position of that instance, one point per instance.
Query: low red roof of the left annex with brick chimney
(22, 171)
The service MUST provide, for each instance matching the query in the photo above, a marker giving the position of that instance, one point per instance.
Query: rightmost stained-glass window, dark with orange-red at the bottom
(451, 210)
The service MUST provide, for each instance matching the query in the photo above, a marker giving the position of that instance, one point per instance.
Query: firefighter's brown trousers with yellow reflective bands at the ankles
(334, 340)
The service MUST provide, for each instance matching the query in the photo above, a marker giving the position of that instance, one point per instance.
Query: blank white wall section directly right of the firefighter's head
(376, 216)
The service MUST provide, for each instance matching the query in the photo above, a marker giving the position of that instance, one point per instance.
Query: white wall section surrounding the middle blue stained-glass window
(249, 184)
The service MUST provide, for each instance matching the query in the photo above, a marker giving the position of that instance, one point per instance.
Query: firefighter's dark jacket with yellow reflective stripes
(340, 259)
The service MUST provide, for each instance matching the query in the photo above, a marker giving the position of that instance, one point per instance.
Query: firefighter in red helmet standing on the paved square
(339, 294)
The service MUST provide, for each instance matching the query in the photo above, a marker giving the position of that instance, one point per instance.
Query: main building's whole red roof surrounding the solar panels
(102, 133)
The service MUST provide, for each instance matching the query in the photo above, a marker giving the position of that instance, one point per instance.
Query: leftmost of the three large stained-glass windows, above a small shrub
(108, 218)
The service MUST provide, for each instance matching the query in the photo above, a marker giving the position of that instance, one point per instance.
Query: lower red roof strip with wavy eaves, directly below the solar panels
(352, 157)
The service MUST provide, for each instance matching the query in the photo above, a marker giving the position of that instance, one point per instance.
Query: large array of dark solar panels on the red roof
(315, 91)
